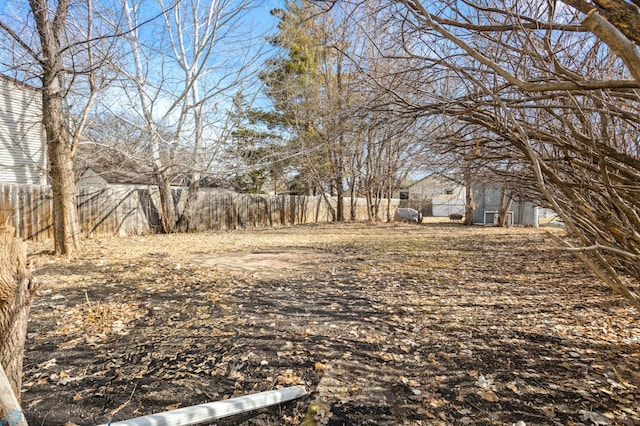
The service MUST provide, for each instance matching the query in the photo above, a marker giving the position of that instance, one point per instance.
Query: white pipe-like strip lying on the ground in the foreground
(215, 410)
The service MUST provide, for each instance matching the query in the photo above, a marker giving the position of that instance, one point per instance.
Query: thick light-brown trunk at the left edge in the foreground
(16, 293)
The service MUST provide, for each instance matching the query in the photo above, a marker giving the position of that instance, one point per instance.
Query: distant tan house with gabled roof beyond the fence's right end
(437, 194)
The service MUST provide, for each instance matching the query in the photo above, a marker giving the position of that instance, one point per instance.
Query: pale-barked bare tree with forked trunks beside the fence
(182, 84)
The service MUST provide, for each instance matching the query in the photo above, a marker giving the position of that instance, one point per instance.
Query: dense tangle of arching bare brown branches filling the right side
(555, 102)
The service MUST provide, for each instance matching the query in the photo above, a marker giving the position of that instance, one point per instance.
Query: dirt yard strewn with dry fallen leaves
(384, 325)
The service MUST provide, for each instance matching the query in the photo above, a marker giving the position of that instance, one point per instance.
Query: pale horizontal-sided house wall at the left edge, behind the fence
(22, 137)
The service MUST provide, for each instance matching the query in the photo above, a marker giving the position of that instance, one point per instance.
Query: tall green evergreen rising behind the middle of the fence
(303, 82)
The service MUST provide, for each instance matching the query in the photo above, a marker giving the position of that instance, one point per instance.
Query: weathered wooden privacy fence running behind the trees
(133, 210)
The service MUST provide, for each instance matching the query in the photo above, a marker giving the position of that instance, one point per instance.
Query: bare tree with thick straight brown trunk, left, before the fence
(65, 53)
